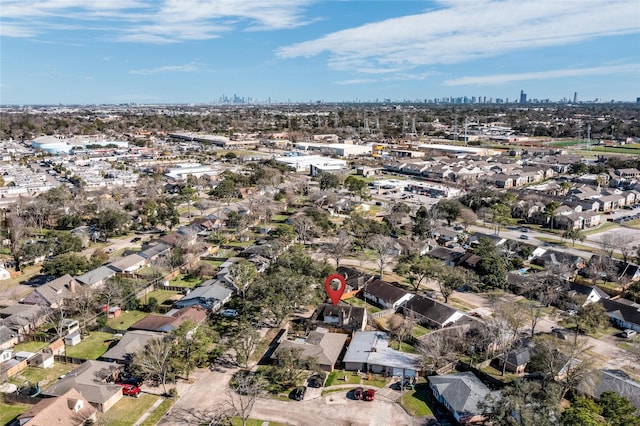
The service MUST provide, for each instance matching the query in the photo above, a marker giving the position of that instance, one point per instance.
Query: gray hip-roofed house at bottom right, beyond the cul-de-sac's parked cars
(461, 393)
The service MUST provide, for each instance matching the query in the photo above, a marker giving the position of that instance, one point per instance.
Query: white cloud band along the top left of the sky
(150, 21)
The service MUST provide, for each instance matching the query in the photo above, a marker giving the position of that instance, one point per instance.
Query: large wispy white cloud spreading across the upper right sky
(462, 31)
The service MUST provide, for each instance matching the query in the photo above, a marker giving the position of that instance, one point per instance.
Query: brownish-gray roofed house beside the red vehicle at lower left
(92, 380)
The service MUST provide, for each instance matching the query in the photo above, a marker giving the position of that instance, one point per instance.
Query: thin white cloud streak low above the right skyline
(543, 75)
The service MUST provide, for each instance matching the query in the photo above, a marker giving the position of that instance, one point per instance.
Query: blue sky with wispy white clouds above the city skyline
(194, 51)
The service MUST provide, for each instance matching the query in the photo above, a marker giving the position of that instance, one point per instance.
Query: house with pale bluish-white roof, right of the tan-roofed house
(369, 351)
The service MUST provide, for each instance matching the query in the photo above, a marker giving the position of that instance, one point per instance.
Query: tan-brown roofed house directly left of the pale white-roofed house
(325, 347)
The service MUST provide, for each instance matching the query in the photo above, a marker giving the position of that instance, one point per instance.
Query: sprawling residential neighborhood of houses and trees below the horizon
(178, 277)
